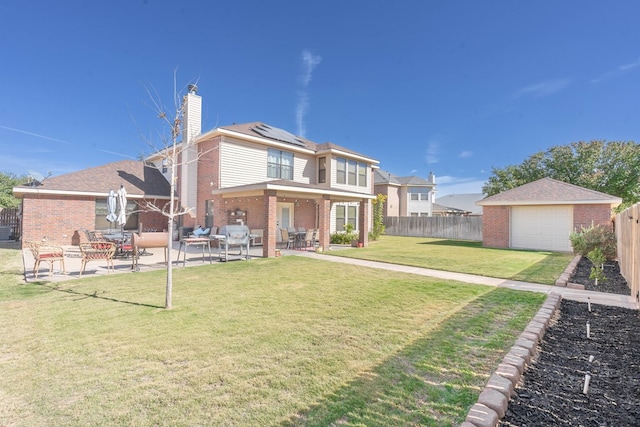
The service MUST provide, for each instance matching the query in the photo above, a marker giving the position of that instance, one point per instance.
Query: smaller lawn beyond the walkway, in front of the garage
(464, 257)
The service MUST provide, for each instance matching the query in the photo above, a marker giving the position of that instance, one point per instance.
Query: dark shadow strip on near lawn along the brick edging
(415, 386)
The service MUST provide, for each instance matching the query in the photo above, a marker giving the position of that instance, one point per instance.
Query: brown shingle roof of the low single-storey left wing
(137, 178)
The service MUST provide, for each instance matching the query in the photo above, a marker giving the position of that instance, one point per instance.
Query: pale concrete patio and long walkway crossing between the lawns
(155, 260)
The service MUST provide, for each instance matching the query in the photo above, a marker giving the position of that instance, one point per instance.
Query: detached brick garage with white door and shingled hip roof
(542, 214)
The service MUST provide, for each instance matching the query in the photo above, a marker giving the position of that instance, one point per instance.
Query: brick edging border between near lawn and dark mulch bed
(494, 398)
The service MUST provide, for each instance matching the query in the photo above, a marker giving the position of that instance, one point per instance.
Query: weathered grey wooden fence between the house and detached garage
(445, 227)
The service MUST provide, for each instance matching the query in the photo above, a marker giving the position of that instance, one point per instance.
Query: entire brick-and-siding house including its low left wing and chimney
(253, 173)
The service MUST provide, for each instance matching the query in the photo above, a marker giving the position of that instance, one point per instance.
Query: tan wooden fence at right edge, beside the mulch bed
(627, 237)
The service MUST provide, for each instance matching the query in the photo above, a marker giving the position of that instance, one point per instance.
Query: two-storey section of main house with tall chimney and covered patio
(267, 178)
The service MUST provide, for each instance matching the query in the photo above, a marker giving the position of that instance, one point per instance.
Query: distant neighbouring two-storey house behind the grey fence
(406, 195)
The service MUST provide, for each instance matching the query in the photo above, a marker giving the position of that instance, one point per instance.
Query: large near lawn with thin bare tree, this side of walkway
(281, 341)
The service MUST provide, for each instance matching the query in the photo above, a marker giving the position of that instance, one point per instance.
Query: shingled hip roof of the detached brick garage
(549, 191)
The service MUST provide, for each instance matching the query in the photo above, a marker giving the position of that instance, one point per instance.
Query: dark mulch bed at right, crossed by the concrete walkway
(551, 392)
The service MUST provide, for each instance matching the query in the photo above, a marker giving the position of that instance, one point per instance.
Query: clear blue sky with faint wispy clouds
(449, 87)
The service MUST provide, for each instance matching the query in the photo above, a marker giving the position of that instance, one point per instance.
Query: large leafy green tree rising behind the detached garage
(609, 167)
